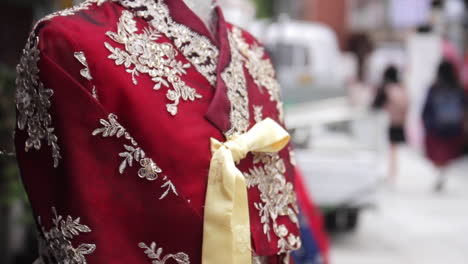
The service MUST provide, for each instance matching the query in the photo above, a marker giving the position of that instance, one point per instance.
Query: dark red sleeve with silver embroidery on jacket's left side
(56, 153)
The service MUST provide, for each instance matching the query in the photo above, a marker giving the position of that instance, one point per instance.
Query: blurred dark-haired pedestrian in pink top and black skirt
(393, 98)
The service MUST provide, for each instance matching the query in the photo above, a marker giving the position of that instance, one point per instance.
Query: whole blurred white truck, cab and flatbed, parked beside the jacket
(340, 149)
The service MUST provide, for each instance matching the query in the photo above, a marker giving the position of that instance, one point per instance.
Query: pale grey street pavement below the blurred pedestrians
(411, 223)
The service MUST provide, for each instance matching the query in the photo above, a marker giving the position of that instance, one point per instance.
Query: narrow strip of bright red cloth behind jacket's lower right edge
(313, 215)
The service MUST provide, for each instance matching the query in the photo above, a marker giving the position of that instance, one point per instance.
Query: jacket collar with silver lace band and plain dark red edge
(210, 55)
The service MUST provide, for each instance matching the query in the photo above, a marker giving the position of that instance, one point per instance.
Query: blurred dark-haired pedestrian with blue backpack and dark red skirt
(444, 117)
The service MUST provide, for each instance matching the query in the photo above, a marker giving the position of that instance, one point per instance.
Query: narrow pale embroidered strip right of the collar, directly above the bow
(234, 78)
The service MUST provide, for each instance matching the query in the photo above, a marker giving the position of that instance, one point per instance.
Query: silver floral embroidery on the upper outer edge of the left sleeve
(33, 102)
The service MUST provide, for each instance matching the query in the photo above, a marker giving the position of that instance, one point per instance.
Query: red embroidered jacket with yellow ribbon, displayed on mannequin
(120, 127)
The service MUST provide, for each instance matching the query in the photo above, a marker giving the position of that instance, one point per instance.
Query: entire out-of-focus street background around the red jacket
(375, 94)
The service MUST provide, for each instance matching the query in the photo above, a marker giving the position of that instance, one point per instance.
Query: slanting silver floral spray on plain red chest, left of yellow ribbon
(149, 169)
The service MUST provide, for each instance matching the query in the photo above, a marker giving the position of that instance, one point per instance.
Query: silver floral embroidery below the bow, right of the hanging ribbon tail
(277, 198)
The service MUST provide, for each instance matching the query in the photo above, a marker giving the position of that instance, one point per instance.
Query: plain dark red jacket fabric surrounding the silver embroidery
(124, 210)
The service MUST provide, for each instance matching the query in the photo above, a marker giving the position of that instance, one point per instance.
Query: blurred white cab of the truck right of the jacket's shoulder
(307, 60)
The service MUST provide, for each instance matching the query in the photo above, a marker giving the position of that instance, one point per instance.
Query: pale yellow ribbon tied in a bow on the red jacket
(226, 226)
